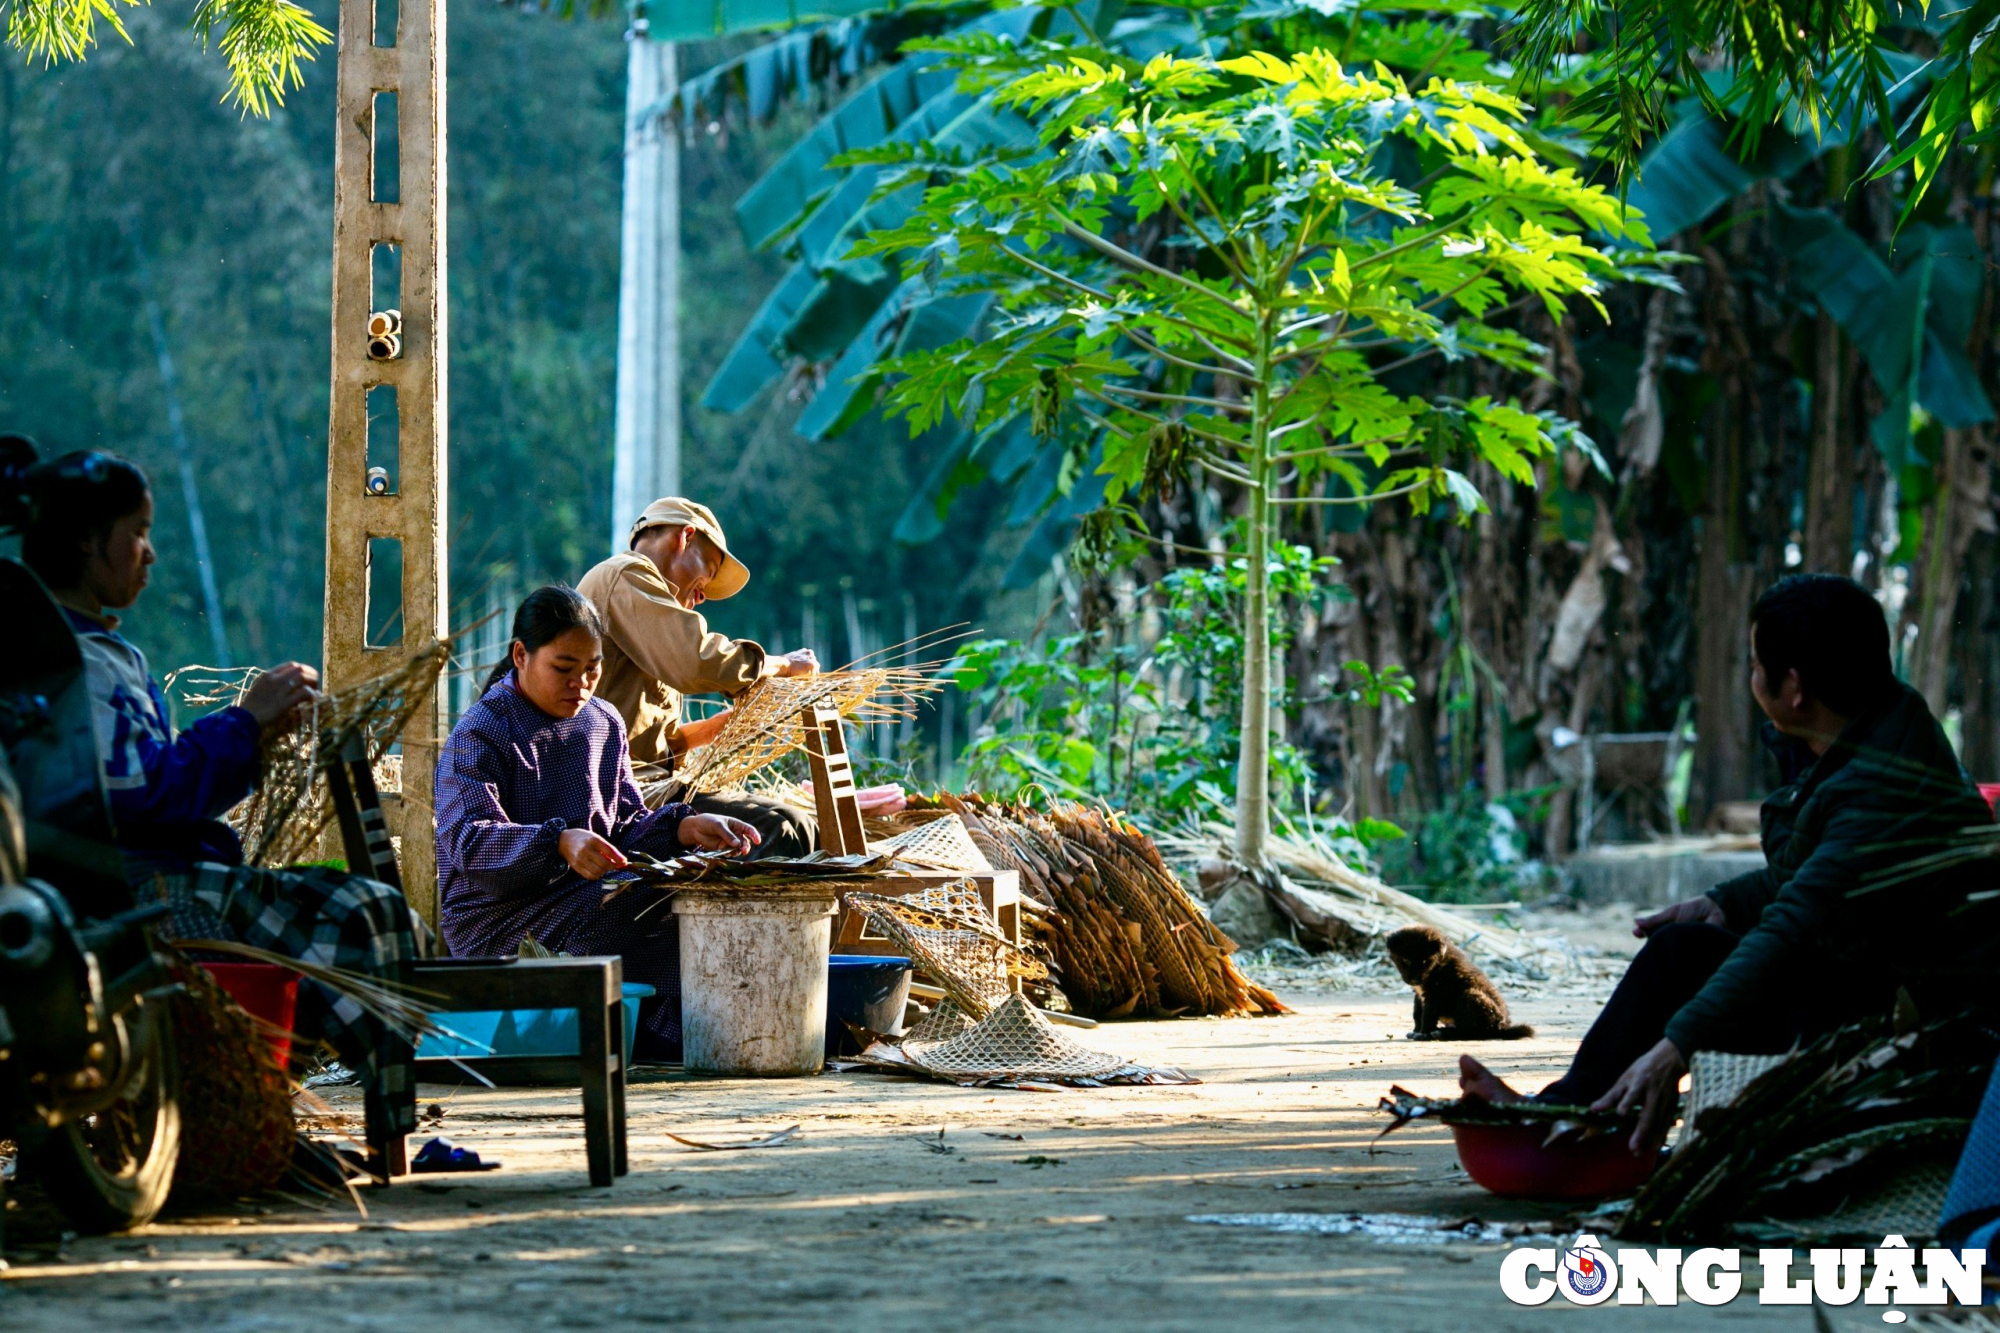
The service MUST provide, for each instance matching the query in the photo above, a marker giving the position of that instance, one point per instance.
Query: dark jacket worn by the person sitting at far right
(1885, 794)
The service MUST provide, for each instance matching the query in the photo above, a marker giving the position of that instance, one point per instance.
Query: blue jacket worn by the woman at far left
(169, 792)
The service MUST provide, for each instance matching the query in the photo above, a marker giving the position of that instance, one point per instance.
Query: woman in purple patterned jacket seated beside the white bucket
(537, 804)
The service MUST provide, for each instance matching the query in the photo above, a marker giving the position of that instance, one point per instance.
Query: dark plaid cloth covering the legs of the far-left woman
(327, 918)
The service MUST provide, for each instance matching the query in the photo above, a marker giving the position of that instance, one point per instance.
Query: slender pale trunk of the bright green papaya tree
(1253, 754)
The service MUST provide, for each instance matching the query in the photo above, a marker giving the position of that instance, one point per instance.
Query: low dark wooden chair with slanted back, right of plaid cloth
(593, 988)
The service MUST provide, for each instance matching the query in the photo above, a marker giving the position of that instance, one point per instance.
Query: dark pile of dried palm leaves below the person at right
(1855, 1136)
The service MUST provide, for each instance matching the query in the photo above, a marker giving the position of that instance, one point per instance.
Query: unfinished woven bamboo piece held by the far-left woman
(283, 822)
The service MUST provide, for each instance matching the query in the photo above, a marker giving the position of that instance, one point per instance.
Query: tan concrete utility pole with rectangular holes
(389, 225)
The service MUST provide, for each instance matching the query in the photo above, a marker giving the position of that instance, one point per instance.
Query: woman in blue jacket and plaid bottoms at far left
(89, 537)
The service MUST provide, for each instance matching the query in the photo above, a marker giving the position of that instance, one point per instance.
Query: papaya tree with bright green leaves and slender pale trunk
(1221, 267)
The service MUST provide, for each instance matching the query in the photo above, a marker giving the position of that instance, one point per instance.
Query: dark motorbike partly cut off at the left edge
(89, 1080)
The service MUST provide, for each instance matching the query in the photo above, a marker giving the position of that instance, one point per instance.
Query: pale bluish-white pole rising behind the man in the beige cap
(647, 433)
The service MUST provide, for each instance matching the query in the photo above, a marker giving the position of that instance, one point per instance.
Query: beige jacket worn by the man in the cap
(657, 651)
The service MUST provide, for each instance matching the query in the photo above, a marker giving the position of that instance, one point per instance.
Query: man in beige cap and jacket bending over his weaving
(659, 649)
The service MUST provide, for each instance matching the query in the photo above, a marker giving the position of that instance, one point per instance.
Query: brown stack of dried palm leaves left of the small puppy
(1121, 934)
